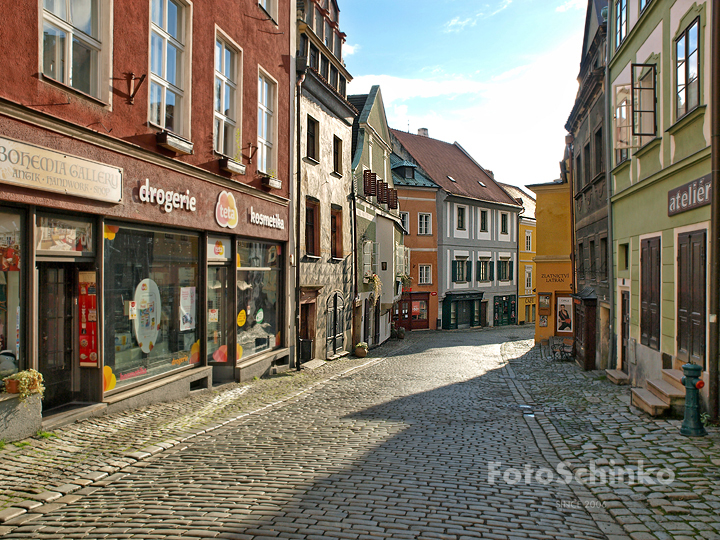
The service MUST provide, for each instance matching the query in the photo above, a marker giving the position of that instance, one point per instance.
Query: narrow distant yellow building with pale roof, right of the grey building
(527, 238)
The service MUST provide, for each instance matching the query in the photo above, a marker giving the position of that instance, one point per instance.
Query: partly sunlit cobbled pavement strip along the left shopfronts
(38, 476)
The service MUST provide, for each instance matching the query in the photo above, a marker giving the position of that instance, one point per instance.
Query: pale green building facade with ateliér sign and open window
(660, 63)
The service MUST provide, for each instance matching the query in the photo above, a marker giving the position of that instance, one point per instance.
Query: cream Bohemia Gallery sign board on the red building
(35, 167)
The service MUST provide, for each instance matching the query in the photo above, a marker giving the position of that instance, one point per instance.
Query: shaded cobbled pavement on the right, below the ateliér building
(588, 420)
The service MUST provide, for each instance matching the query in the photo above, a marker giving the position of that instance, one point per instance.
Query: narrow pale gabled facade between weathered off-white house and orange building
(380, 255)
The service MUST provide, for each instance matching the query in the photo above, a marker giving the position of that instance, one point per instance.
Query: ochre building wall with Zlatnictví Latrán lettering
(553, 263)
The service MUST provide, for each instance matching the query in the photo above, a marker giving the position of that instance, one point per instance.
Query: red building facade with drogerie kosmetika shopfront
(144, 183)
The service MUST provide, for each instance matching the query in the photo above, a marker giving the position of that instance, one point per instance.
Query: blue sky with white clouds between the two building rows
(497, 76)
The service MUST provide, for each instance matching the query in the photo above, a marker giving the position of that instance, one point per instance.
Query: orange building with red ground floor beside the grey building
(418, 306)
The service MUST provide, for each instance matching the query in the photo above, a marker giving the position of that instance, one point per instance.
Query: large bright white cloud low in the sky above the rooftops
(511, 123)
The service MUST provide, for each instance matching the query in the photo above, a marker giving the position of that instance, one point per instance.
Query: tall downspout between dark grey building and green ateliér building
(612, 358)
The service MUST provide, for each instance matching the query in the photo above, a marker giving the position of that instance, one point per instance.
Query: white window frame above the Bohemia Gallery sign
(101, 43)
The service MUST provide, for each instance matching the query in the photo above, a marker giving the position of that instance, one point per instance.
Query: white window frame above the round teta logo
(235, 120)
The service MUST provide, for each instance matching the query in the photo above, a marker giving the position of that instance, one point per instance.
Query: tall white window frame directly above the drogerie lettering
(184, 45)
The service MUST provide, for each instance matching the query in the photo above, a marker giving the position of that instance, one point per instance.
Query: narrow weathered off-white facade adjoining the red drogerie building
(325, 245)
